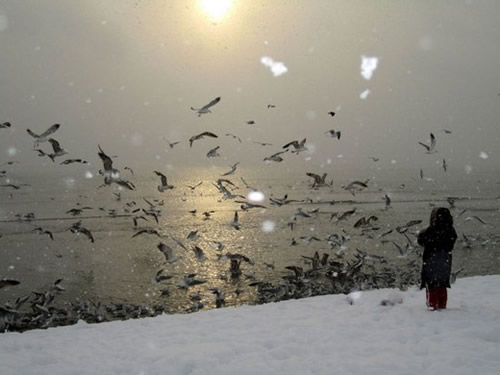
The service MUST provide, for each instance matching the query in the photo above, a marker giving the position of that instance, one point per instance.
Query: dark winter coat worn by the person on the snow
(438, 243)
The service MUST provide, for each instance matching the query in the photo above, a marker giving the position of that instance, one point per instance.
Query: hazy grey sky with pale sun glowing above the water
(124, 74)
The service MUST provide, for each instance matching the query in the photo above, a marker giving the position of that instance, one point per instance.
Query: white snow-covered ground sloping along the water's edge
(333, 334)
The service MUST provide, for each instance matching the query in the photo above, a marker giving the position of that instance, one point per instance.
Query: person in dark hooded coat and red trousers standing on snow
(438, 240)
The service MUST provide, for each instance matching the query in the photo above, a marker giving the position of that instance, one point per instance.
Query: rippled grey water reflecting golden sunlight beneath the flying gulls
(119, 268)
